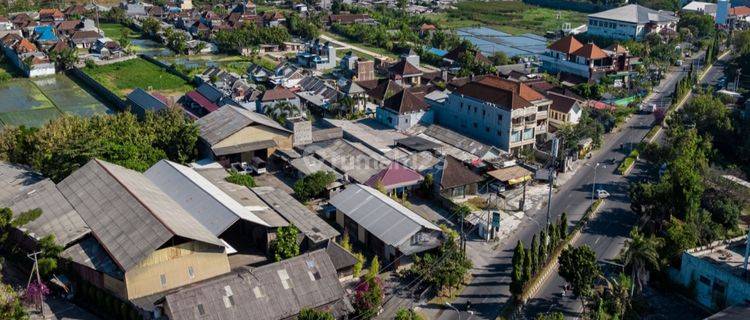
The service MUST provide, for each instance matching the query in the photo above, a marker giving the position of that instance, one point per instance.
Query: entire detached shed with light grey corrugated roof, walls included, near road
(383, 225)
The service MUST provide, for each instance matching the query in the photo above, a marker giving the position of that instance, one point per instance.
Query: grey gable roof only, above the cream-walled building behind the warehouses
(227, 120)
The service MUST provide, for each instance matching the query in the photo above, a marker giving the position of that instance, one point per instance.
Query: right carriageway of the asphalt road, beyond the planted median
(607, 233)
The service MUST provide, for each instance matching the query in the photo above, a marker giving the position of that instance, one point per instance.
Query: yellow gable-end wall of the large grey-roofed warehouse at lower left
(173, 262)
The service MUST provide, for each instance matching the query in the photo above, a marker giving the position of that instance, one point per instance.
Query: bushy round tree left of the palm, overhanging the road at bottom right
(578, 267)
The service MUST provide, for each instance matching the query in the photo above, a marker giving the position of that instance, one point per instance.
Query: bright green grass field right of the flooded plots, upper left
(123, 77)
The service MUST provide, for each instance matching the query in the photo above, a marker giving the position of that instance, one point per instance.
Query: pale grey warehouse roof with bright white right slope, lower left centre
(213, 208)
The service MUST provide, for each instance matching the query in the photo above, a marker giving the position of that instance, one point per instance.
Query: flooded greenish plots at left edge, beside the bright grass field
(34, 102)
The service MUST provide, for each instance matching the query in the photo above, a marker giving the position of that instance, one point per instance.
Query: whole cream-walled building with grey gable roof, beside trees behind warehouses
(233, 134)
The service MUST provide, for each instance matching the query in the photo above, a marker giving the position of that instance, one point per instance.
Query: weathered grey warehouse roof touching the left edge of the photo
(23, 190)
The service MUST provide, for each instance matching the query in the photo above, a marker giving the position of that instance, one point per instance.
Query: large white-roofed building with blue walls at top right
(631, 21)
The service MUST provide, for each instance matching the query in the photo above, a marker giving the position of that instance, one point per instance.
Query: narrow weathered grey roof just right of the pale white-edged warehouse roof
(312, 226)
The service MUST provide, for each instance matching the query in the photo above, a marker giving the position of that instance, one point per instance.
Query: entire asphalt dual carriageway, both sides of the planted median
(489, 288)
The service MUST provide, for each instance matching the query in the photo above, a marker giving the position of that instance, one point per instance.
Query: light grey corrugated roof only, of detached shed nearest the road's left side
(382, 216)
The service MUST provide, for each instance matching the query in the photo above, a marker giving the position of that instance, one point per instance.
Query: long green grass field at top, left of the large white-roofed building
(508, 16)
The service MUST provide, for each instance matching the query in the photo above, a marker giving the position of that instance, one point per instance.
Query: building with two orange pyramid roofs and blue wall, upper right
(588, 61)
